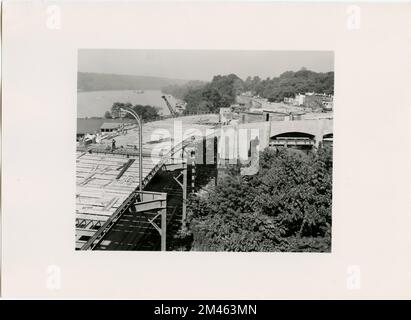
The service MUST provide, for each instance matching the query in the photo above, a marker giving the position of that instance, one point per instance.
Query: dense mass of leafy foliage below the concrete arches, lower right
(285, 207)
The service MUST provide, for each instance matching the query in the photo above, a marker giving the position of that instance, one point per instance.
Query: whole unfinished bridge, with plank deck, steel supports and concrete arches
(107, 181)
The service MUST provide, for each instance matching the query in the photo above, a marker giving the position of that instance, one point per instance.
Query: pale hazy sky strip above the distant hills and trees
(202, 64)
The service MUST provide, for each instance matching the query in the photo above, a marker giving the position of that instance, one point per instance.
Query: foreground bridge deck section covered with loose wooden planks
(99, 190)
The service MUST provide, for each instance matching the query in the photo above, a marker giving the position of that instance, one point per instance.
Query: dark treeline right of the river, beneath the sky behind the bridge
(222, 90)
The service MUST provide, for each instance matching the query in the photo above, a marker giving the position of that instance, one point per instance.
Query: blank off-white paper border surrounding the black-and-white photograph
(371, 204)
